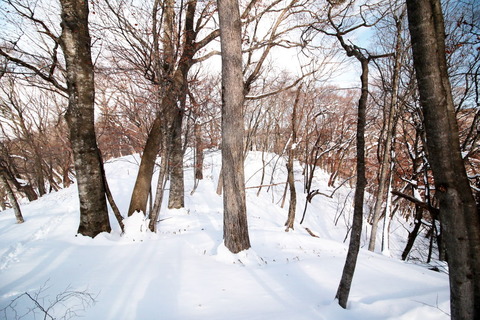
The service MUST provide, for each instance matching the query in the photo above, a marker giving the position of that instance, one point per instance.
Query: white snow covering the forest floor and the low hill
(185, 272)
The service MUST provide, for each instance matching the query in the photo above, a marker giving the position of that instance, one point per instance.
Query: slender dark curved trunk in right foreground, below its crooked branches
(343, 290)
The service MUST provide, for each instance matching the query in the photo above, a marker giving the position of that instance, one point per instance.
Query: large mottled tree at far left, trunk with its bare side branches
(75, 43)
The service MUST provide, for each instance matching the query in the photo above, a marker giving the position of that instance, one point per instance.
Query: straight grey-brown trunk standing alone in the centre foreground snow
(235, 228)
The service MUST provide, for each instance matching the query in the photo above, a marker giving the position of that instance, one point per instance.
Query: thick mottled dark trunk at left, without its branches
(75, 42)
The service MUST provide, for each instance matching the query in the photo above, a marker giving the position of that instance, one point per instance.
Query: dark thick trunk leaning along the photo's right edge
(458, 210)
